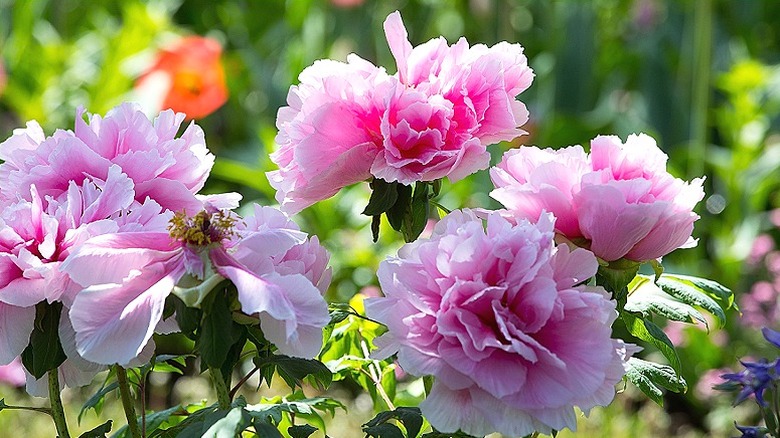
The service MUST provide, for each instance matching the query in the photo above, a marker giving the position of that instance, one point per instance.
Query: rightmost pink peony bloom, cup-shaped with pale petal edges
(619, 201)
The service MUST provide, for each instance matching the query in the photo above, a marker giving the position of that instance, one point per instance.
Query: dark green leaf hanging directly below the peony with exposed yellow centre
(218, 332)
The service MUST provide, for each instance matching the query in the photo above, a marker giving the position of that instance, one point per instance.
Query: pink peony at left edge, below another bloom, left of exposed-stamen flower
(38, 235)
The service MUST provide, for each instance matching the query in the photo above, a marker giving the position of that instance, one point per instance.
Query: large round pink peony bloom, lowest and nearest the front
(497, 318)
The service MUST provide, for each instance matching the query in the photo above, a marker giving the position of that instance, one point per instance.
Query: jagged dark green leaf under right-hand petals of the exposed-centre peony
(294, 370)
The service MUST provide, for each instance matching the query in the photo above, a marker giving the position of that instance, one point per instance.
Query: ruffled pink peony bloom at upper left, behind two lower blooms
(163, 167)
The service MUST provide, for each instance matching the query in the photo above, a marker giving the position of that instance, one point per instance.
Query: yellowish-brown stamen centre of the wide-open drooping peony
(202, 229)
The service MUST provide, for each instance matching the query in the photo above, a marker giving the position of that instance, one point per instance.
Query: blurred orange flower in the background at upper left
(186, 77)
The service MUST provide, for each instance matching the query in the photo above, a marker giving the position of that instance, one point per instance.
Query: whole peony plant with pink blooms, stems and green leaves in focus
(506, 318)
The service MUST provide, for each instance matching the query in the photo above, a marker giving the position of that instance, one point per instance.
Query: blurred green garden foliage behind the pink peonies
(701, 76)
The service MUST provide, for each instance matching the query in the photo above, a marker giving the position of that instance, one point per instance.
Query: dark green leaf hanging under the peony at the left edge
(44, 353)
